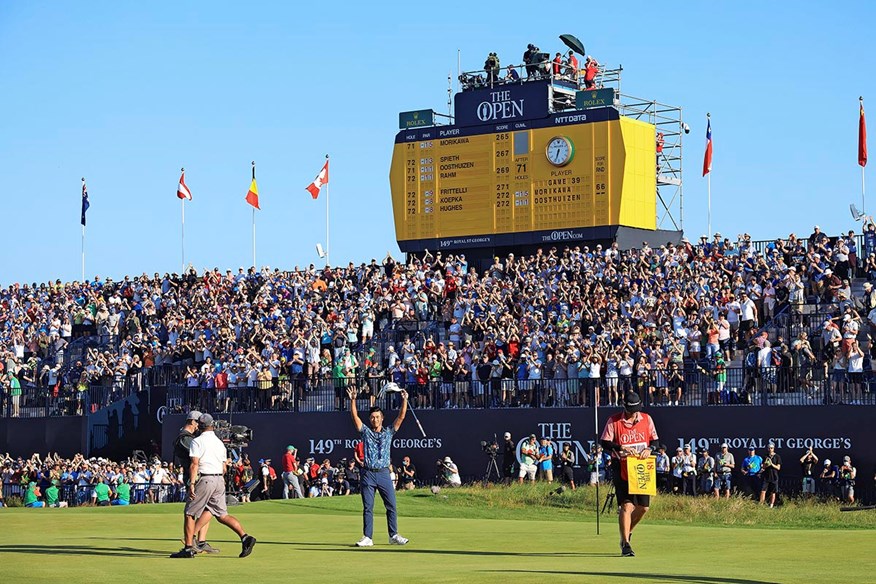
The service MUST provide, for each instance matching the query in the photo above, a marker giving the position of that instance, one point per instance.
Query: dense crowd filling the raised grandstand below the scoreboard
(545, 329)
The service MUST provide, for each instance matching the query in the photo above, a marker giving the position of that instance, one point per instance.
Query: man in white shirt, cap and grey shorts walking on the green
(207, 496)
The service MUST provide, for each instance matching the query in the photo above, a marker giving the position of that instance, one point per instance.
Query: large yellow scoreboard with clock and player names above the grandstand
(461, 182)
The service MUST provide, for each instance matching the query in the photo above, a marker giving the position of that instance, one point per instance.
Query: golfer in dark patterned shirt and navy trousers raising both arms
(375, 472)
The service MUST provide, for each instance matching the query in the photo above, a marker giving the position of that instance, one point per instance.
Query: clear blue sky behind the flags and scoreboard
(126, 93)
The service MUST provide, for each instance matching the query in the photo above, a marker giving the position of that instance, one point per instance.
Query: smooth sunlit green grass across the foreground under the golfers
(461, 538)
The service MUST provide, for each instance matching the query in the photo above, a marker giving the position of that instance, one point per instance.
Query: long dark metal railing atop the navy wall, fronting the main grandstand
(689, 386)
